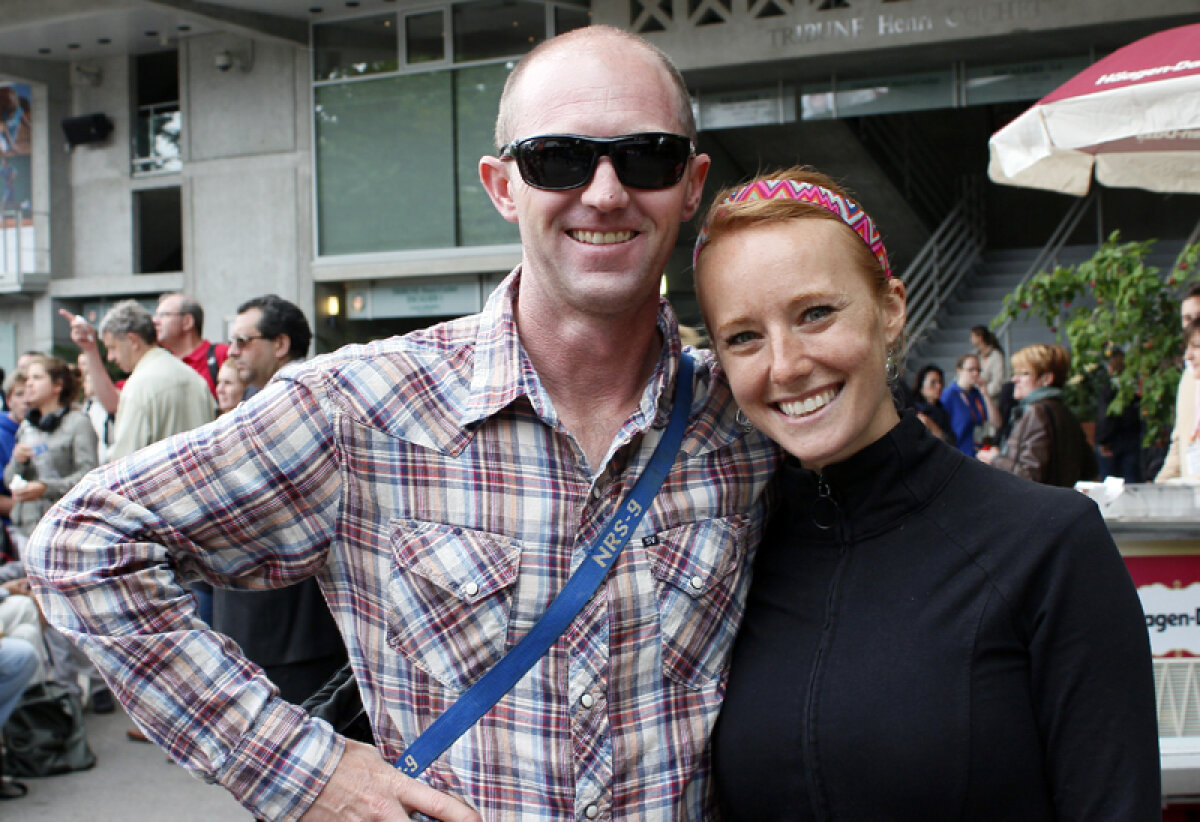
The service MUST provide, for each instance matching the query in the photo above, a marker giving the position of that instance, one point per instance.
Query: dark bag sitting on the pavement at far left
(46, 734)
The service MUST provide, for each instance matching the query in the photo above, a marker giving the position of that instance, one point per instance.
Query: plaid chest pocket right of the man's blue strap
(701, 579)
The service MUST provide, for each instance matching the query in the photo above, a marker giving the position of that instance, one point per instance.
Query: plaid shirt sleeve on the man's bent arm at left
(249, 501)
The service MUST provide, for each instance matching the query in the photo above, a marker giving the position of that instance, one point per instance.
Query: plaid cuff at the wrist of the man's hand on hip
(283, 764)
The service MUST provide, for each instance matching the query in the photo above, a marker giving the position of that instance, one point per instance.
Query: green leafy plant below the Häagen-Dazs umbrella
(1115, 298)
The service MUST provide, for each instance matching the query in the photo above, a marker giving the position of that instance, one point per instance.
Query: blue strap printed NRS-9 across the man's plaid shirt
(601, 556)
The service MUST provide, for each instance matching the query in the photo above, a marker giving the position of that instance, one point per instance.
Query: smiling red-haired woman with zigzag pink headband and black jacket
(925, 638)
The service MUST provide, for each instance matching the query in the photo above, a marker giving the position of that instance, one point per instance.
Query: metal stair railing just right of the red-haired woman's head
(955, 249)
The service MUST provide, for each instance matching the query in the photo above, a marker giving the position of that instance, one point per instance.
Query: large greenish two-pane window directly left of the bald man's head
(397, 163)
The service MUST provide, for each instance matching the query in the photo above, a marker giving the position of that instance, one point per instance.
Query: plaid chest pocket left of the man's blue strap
(449, 598)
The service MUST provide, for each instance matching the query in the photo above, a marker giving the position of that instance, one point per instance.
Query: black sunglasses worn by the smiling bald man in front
(560, 163)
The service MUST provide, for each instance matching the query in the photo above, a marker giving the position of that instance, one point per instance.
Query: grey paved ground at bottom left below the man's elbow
(131, 783)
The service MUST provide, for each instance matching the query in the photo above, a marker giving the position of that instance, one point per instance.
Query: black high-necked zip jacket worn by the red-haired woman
(931, 639)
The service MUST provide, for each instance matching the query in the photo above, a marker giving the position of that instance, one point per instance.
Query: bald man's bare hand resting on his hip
(365, 789)
